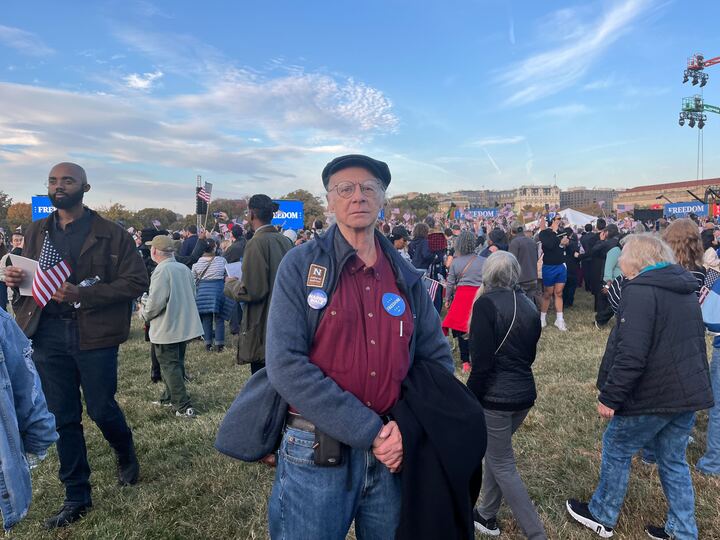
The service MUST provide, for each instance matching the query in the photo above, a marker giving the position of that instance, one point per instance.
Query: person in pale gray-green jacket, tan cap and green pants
(172, 323)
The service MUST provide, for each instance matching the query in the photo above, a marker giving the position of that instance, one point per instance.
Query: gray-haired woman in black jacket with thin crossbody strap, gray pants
(504, 332)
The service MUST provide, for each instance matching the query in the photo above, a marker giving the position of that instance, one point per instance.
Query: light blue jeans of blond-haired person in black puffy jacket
(624, 436)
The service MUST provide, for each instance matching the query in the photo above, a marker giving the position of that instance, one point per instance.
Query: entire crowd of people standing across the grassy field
(365, 434)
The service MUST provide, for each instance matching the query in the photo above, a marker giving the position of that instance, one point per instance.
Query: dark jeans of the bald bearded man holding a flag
(64, 370)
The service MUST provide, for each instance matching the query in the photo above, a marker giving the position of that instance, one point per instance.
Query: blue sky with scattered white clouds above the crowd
(258, 96)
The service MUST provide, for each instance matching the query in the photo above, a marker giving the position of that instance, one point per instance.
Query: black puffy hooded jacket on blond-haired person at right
(655, 361)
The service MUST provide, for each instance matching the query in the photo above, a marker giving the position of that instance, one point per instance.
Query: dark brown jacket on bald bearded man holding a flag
(104, 315)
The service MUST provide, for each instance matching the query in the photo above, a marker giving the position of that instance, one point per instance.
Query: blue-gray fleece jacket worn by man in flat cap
(292, 325)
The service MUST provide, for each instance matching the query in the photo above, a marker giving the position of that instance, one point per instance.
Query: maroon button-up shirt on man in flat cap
(358, 344)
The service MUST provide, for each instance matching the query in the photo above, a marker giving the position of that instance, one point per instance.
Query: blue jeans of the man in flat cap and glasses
(320, 503)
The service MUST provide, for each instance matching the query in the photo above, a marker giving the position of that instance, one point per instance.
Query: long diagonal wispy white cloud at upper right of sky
(549, 72)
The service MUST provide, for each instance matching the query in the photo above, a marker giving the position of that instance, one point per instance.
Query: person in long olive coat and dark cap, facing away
(260, 263)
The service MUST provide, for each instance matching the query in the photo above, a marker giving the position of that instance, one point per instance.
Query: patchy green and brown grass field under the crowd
(188, 490)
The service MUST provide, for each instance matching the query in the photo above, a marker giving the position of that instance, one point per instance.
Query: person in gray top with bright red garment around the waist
(464, 279)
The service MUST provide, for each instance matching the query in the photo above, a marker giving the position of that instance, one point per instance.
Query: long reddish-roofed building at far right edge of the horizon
(656, 195)
